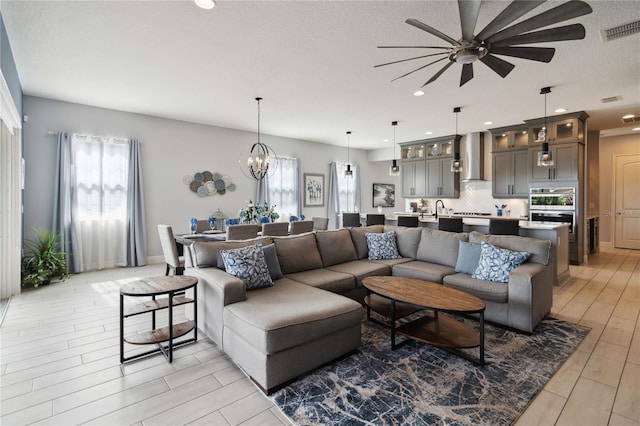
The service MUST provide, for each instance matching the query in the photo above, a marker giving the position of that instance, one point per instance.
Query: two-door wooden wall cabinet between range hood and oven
(510, 179)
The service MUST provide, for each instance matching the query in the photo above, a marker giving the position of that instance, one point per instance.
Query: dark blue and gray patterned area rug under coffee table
(418, 384)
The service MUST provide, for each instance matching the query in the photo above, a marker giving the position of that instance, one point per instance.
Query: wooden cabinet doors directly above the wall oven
(566, 158)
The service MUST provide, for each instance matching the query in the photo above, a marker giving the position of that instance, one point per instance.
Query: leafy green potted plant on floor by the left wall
(43, 259)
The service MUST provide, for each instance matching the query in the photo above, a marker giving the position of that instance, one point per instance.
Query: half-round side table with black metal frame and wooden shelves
(173, 287)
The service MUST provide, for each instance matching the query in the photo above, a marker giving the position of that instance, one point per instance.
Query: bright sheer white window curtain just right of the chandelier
(284, 187)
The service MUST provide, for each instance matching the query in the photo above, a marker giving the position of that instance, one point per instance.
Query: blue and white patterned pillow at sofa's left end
(248, 264)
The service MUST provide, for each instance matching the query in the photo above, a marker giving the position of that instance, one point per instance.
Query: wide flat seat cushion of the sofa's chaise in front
(289, 314)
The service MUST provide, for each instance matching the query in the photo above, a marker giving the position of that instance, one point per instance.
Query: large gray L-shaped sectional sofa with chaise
(312, 313)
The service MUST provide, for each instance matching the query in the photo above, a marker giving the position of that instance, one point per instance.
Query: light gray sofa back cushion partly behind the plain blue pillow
(440, 246)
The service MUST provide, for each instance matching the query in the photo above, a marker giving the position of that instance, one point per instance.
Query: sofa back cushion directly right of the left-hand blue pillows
(298, 253)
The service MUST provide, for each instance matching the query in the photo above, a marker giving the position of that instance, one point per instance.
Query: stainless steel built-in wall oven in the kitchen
(555, 205)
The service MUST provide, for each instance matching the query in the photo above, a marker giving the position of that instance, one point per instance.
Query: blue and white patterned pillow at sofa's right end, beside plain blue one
(496, 263)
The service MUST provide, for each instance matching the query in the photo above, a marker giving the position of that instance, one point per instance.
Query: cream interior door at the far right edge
(627, 202)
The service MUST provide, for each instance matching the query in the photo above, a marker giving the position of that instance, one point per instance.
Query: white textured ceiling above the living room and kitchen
(312, 62)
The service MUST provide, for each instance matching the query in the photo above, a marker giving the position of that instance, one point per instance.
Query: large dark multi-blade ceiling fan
(495, 39)
